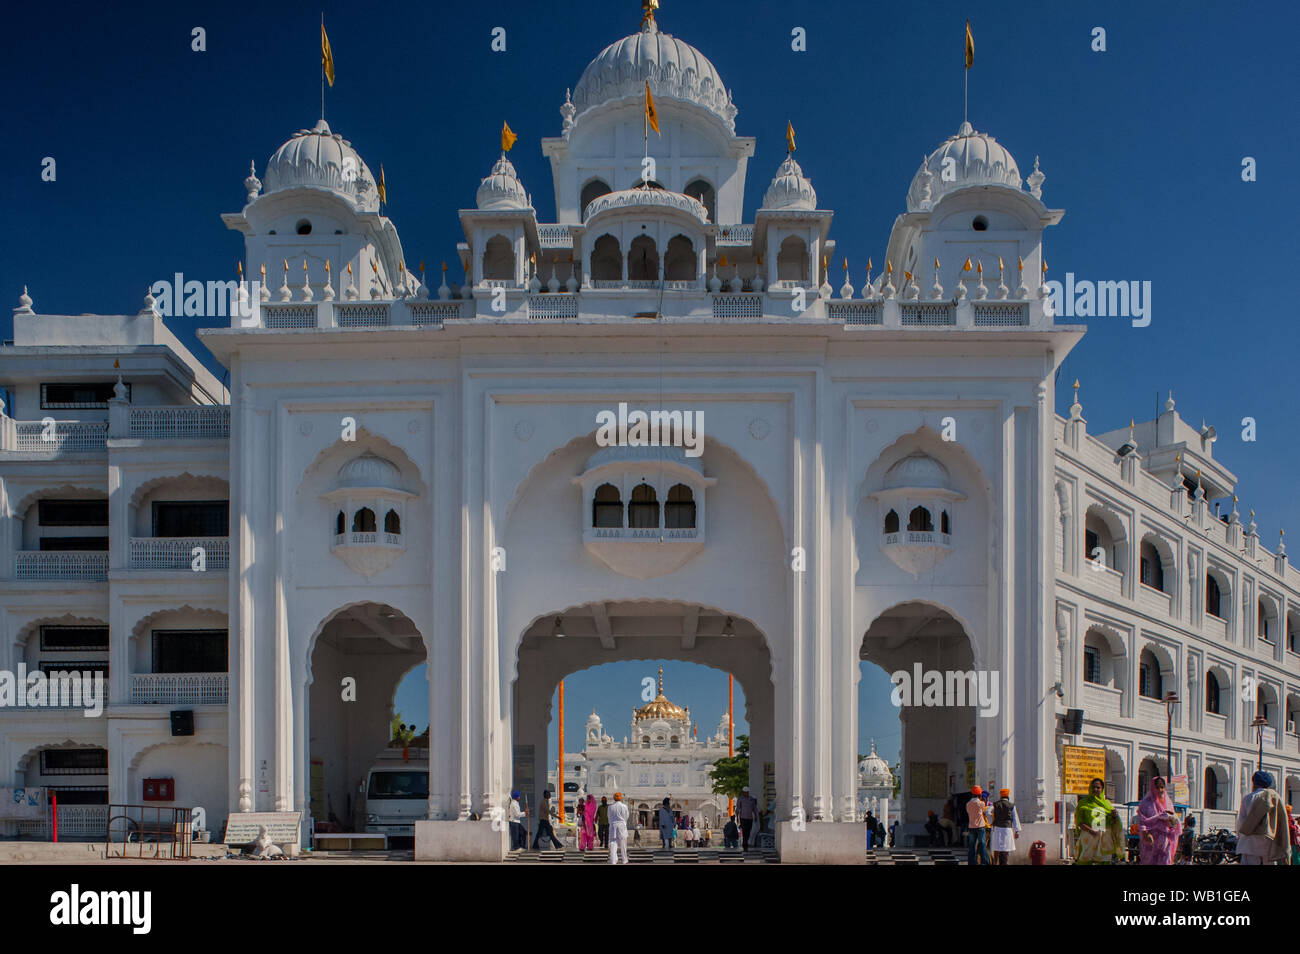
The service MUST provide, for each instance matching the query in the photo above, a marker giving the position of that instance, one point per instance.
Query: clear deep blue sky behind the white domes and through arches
(1142, 145)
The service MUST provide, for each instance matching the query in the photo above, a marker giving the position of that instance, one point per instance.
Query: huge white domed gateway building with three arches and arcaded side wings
(409, 472)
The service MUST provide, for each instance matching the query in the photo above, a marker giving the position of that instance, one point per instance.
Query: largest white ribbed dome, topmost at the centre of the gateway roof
(675, 71)
